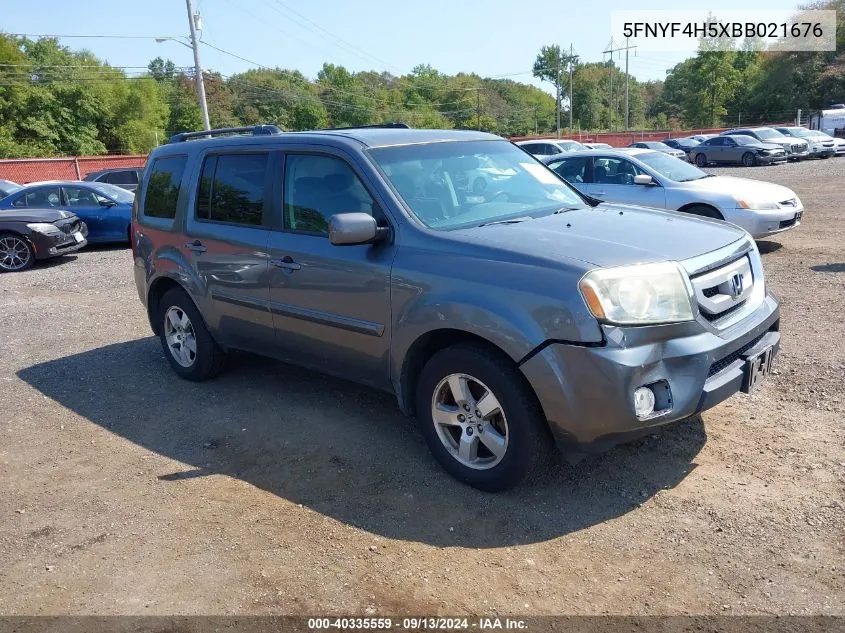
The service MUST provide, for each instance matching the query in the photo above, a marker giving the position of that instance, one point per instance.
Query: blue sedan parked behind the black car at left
(106, 209)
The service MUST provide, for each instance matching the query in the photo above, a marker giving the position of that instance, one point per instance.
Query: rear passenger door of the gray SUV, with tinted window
(227, 230)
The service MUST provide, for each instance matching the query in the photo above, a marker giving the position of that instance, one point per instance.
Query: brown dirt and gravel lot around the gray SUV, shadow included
(273, 490)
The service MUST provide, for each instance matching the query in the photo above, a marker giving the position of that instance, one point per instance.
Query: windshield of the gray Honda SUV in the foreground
(450, 185)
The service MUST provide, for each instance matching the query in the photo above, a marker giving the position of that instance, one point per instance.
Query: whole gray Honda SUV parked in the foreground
(507, 317)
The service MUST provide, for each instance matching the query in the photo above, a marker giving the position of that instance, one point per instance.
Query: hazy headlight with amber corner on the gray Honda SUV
(638, 295)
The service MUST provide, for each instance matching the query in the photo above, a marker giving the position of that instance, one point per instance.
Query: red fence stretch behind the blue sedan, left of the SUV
(24, 170)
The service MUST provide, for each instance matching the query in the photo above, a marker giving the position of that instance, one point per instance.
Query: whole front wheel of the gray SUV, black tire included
(514, 422)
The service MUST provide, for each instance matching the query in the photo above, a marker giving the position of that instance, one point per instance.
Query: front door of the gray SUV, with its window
(330, 304)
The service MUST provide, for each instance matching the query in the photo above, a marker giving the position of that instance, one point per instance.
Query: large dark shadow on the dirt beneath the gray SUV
(343, 450)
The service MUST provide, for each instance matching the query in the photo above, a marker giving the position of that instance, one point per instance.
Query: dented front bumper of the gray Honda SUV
(587, 392)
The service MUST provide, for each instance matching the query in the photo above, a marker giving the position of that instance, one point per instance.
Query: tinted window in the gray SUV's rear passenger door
(232, 189)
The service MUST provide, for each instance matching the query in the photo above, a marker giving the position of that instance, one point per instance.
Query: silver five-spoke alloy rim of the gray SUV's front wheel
(469, 421)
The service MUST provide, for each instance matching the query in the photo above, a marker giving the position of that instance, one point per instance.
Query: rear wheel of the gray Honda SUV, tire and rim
(199, 358)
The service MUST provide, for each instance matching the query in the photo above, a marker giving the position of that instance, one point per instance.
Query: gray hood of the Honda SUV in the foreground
(608, 235)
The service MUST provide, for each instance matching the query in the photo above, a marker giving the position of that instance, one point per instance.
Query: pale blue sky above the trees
(494, 38)
